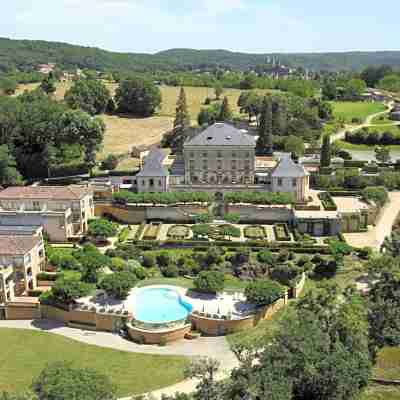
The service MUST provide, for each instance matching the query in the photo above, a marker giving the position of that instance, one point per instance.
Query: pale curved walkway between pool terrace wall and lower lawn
(215, 347)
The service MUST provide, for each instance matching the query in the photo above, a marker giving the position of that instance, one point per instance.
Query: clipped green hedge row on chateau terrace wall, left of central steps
(126, 197)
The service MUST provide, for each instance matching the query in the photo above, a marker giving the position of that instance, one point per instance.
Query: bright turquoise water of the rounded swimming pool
(160, 305)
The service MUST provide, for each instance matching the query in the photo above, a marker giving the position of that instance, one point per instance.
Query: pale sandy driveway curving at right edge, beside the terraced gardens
(383, 228)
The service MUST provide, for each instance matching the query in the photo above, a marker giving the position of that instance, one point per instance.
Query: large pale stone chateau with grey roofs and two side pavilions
(219, 159)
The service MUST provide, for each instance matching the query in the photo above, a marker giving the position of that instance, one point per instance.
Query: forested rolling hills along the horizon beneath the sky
(24, 54)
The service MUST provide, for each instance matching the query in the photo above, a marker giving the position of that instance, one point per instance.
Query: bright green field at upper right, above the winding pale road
(347, 110)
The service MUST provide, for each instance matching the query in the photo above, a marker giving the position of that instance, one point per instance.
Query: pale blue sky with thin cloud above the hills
(253, 26)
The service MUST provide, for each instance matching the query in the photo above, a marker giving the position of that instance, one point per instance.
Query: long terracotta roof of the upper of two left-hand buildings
(72, 192)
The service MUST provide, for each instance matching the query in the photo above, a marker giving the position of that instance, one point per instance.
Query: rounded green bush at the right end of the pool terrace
(263, 292)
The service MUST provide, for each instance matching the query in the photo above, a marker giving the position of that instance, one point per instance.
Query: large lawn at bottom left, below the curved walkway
(25, 353)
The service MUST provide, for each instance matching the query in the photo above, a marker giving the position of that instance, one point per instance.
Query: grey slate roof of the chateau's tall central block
(222, 134)
